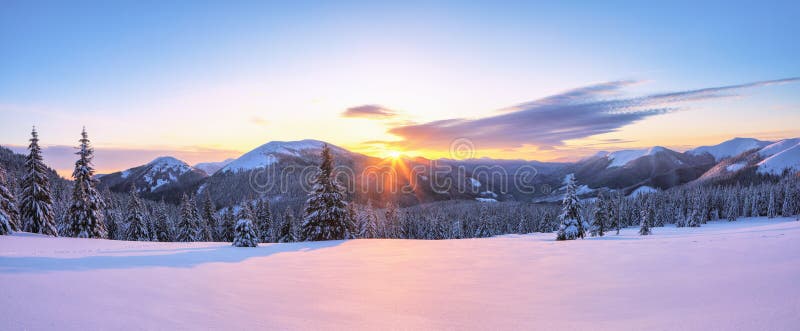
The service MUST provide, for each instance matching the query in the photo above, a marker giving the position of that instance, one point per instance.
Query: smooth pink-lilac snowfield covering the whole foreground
(723, 276)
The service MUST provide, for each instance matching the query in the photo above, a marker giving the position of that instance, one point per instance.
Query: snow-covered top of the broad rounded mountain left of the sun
(268, 154)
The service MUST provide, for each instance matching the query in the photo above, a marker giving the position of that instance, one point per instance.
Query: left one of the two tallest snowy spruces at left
(36, 208)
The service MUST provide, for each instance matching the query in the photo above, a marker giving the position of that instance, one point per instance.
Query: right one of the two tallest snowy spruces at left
(85, 215)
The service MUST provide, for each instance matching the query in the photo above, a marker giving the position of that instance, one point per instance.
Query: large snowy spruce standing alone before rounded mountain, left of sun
(326, 211)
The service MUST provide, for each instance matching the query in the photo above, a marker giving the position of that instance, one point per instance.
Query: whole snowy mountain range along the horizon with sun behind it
(281, 170)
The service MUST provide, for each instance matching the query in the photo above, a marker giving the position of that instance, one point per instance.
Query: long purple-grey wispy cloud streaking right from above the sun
(548, 122)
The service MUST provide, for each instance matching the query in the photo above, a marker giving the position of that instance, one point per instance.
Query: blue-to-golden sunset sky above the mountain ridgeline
(210, 80)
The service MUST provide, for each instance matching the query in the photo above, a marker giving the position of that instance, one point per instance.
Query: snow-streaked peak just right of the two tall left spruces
(165, 177)
